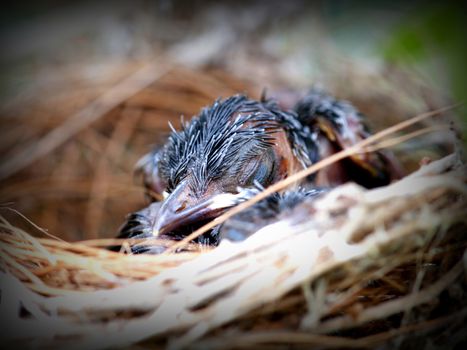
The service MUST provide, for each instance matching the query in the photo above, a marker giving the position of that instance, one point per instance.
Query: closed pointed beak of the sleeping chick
(179, 210)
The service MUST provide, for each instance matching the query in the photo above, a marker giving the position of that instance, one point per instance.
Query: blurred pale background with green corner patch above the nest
(304, 42)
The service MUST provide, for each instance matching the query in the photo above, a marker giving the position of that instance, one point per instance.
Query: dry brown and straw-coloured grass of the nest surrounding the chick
(354, 269)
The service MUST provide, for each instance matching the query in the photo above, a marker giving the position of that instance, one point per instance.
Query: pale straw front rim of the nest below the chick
(355, 268)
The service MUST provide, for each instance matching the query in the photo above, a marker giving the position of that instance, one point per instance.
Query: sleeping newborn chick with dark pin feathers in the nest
(237, 146)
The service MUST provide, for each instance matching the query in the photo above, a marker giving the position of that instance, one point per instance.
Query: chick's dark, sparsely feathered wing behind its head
(337, 125)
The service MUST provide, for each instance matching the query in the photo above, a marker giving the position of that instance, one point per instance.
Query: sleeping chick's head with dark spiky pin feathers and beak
(215, 160)
